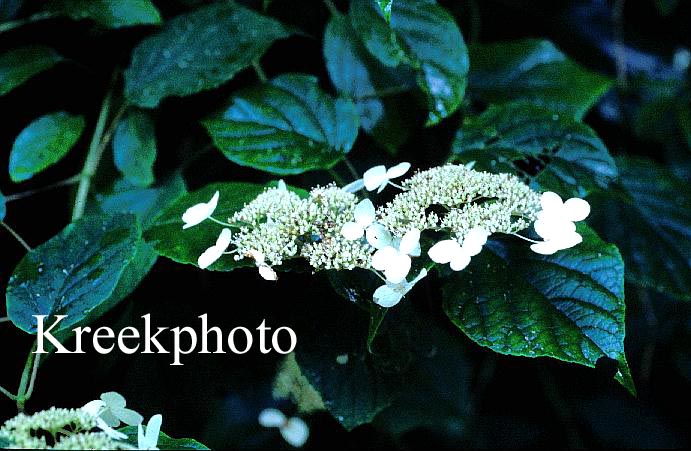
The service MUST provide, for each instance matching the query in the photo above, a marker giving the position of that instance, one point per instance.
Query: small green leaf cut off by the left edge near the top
(19, 65)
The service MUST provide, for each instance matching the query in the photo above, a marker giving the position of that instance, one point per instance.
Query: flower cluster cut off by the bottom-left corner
(90, 427)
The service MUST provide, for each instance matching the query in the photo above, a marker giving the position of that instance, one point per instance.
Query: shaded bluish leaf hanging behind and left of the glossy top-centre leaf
(356, 74)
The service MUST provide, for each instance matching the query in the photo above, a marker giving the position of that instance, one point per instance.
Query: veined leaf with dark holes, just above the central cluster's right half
(564, 155)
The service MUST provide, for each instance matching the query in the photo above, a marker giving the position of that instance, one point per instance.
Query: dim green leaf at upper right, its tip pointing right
(534, 71)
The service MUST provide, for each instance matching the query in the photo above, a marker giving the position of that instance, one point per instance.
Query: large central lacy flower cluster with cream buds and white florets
(335, 229)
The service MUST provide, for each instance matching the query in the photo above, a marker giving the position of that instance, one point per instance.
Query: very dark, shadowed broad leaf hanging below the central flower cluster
(355, 384)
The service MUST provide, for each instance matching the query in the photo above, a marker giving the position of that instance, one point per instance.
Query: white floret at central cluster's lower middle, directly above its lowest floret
(394, 259)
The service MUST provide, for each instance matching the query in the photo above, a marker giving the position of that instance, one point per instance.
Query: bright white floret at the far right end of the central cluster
(555, 223)
